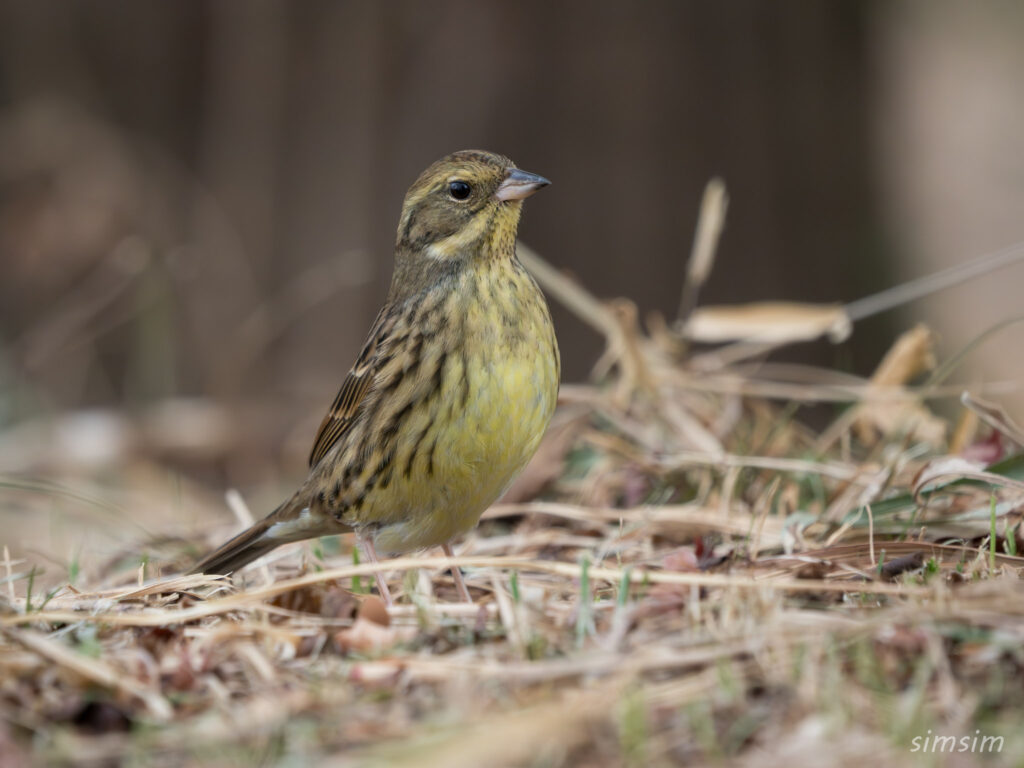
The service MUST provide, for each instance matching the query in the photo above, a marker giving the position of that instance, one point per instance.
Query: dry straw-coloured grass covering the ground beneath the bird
(685, 576)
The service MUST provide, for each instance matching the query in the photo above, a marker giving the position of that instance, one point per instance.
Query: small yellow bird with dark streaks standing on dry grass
(452, 392)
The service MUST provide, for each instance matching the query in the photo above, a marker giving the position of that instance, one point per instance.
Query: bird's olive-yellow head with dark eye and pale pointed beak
(465, 206)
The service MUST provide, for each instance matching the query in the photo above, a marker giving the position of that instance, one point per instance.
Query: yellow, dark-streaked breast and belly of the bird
(496, 394)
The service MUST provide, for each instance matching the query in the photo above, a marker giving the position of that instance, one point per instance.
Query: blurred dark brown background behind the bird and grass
(198, 200)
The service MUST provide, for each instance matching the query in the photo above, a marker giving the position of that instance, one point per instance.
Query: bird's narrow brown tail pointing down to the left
(292, 522)
